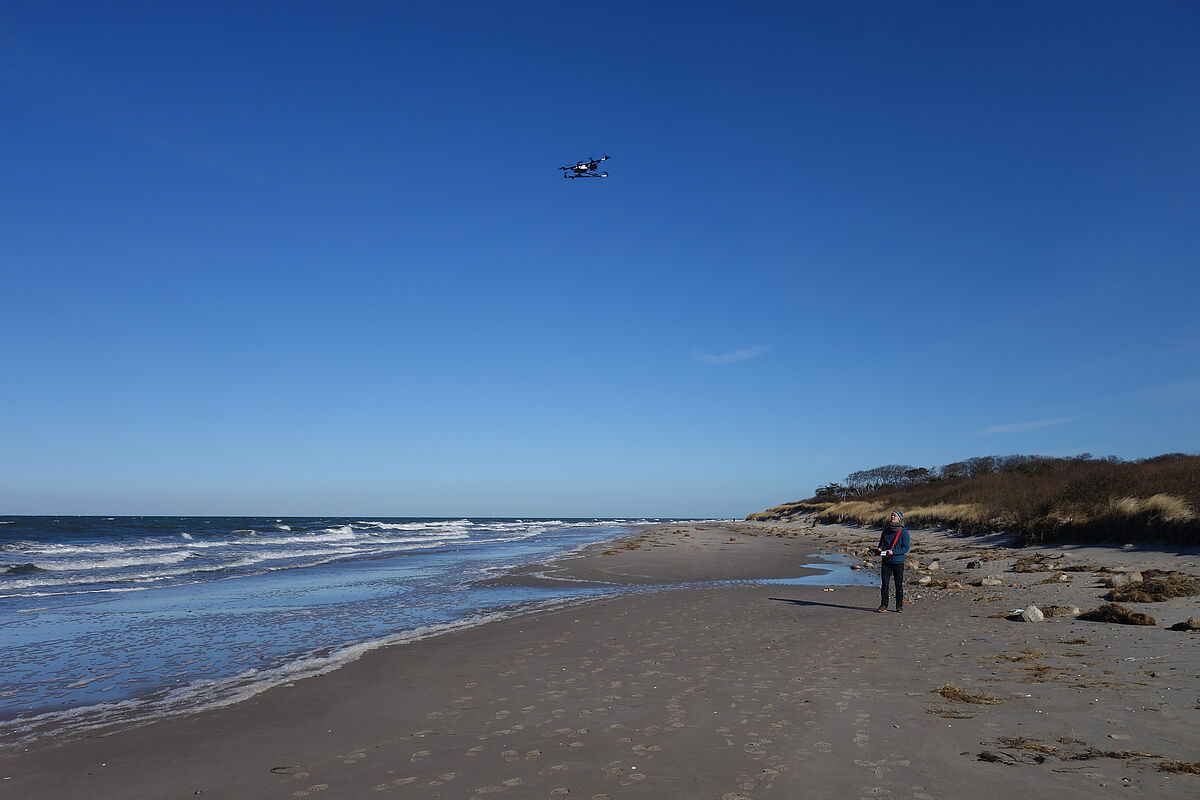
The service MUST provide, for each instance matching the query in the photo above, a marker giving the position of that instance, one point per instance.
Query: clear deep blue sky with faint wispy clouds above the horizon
(305, 258)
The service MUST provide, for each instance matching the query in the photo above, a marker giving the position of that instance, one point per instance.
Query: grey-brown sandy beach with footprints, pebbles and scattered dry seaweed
(741, 691)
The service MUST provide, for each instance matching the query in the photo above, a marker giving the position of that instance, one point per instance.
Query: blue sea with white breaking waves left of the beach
(112, 622)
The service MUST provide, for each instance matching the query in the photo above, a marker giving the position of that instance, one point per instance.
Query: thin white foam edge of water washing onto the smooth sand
(205, 695)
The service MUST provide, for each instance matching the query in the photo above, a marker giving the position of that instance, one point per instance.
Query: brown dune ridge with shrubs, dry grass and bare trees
(1082, 500)
